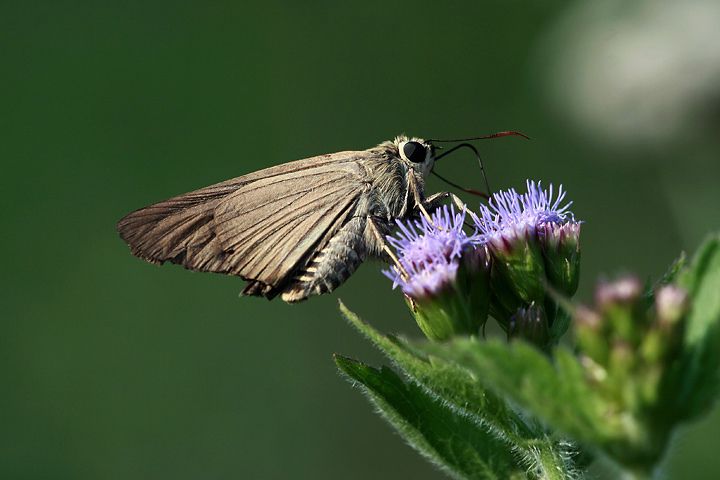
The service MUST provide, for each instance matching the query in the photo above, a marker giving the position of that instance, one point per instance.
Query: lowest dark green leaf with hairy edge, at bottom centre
(447, 439)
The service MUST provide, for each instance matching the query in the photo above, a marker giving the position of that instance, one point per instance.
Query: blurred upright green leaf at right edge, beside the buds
(701, 361)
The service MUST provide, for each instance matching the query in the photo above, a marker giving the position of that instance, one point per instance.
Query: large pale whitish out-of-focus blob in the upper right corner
(644, 71)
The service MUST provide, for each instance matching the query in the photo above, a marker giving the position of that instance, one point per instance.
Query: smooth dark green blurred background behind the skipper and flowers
(114, 369)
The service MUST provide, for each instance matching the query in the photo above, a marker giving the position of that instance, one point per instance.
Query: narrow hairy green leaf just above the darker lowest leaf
(463, 393)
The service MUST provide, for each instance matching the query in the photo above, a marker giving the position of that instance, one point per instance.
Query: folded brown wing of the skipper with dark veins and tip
(261, 226)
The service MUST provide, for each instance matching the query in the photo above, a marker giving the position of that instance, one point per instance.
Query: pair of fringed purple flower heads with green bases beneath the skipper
(524, 246)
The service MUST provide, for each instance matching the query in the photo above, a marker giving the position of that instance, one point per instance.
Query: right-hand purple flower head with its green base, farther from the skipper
(534, 239)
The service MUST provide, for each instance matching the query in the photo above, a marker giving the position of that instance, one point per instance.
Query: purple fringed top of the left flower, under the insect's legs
(429, 252)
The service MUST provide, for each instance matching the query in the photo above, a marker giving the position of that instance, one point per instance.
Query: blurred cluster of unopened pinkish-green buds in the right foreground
(630, 344)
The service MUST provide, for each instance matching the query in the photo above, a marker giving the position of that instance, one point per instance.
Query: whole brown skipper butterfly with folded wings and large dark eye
(295, 230)
